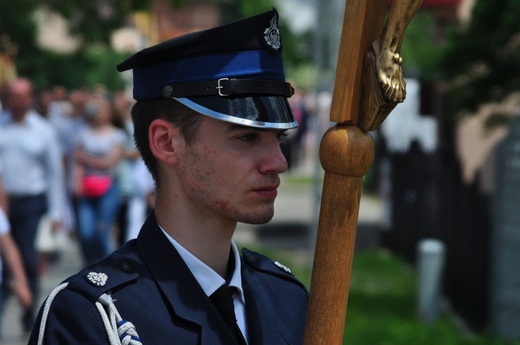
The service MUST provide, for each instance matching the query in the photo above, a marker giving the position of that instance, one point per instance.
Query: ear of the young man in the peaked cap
(163, 138)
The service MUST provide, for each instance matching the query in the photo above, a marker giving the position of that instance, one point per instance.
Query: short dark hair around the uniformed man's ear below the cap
(144, 112)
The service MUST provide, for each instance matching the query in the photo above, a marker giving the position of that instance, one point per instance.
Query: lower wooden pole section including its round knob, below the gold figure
(344, 171)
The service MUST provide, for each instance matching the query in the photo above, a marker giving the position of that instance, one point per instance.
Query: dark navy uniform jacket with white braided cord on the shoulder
(154, 289)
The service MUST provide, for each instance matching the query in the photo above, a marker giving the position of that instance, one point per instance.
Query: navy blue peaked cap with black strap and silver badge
(233, 72)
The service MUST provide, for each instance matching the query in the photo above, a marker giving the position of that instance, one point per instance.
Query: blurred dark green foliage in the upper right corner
(481, 59)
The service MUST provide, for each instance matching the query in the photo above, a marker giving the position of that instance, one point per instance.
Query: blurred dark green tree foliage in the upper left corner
(91, 22)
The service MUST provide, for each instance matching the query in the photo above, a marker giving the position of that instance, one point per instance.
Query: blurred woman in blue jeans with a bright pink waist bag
(99, 149)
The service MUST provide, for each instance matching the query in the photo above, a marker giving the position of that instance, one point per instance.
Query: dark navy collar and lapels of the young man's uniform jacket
(189, 301)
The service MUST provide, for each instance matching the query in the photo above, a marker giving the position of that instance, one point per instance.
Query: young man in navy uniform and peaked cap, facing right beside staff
(210, 115)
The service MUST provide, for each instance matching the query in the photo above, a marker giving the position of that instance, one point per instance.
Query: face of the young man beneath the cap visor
(231, 171)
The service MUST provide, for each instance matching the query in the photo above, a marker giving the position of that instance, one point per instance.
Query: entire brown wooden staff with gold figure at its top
(368, 85)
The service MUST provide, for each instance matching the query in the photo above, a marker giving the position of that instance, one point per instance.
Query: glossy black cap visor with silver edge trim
(271, 112)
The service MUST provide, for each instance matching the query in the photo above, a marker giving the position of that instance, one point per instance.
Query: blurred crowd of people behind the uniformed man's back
(68, 167)
